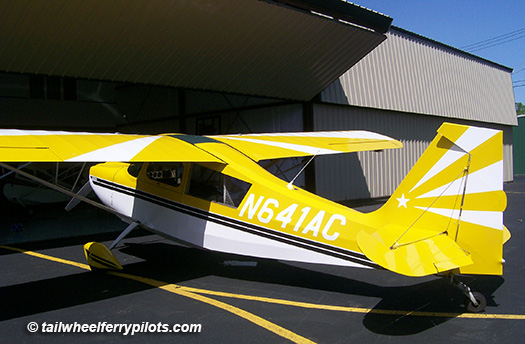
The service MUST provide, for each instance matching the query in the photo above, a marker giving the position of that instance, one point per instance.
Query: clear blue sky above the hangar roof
(463, 22)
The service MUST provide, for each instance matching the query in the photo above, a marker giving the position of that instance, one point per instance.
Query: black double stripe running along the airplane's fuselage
(239, 225)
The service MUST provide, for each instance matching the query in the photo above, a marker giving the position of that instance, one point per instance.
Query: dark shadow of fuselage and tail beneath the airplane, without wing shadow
(177, 264)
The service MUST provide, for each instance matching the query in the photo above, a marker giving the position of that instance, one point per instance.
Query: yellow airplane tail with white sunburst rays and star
(448, 212)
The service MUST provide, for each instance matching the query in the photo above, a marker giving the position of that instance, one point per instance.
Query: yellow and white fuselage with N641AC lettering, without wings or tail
(237, 208)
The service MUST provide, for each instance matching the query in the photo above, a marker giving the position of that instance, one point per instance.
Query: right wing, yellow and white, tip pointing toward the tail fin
(289, 145)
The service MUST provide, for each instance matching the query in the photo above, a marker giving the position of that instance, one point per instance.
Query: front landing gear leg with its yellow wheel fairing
(99, 256)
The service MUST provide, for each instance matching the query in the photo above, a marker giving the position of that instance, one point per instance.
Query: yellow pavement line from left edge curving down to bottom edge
(173, 288)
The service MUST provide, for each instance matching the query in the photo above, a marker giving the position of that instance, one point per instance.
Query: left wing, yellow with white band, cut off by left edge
(61, 146)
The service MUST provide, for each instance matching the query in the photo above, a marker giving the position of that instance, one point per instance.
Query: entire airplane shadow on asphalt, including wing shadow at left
(175, 264)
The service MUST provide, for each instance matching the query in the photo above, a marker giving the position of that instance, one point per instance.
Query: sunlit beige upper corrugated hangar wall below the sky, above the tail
(412, 74)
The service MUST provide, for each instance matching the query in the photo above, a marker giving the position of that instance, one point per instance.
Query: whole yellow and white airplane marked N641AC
(445, 218)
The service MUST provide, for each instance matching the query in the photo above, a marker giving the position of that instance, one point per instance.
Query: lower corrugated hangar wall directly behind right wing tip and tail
(377, 174)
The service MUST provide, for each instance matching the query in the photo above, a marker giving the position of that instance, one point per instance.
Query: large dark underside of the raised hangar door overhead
(249, 47)
